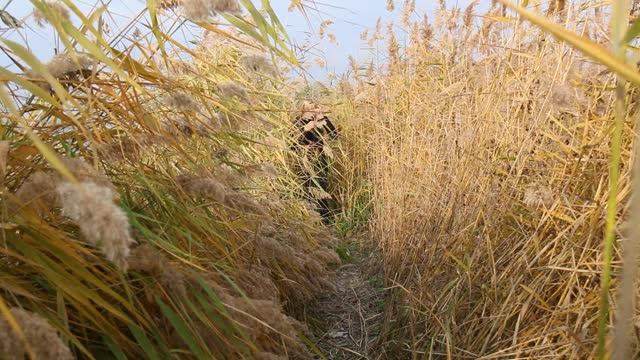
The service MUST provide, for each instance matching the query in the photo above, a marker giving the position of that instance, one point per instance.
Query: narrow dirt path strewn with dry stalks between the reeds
(350, 317)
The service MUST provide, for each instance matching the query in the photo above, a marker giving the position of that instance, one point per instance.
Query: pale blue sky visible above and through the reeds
(350, 17)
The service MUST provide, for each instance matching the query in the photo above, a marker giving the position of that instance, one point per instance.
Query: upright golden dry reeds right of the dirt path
(485, 146)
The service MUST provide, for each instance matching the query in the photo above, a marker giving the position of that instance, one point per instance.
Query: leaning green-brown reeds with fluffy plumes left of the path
(147, 209)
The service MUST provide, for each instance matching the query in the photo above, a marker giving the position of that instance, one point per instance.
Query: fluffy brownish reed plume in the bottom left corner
(40, 336)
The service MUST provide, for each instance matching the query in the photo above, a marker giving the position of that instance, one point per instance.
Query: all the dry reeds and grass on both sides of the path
(149, 209)
